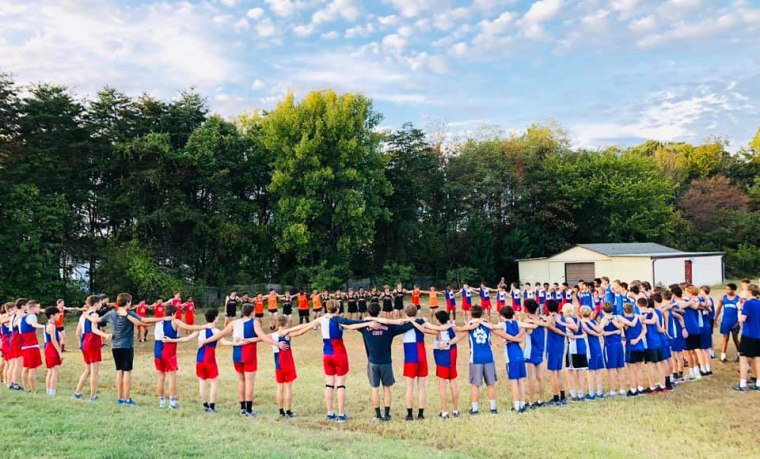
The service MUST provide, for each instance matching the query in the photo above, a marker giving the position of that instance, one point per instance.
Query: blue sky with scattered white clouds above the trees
(610, 72)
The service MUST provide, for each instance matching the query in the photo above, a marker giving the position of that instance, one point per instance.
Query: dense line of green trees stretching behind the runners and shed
(150, 196)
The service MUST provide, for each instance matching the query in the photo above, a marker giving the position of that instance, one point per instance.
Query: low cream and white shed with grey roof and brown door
(642, 261)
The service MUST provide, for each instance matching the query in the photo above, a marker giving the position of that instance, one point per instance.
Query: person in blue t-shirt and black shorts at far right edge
(749, 348)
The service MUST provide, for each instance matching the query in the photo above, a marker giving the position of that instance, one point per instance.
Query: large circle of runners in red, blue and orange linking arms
(641, 340)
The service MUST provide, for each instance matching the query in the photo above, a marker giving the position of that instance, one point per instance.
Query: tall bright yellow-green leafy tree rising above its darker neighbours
(328, 179)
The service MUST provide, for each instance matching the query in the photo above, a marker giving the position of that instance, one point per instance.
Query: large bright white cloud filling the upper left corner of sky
(157, 47)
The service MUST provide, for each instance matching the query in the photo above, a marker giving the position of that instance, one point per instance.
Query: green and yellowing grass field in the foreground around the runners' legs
(699, 419)
